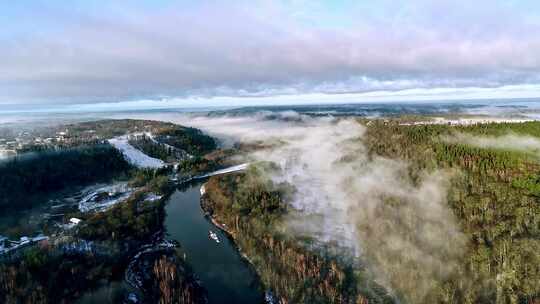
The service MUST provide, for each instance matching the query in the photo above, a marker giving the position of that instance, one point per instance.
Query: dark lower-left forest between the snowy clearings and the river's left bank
(99, 251)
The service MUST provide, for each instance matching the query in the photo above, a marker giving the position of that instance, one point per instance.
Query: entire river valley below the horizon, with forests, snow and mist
(459, 224)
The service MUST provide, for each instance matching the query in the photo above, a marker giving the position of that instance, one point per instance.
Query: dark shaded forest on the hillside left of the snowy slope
(27, 175)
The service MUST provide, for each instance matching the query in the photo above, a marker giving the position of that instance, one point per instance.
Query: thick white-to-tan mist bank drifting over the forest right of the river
(367, 207)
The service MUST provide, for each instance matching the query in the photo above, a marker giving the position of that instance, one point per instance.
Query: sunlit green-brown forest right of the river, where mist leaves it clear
(493, 193)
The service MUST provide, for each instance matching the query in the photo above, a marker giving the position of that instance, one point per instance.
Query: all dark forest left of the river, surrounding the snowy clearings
(98, 251)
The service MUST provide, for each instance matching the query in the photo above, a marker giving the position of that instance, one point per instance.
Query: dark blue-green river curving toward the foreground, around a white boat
(227, 277)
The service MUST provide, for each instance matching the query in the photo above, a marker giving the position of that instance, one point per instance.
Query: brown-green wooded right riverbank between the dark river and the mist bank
(293, 273)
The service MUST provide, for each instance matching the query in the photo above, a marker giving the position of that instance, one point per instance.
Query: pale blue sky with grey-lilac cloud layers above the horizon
(191, 53)
